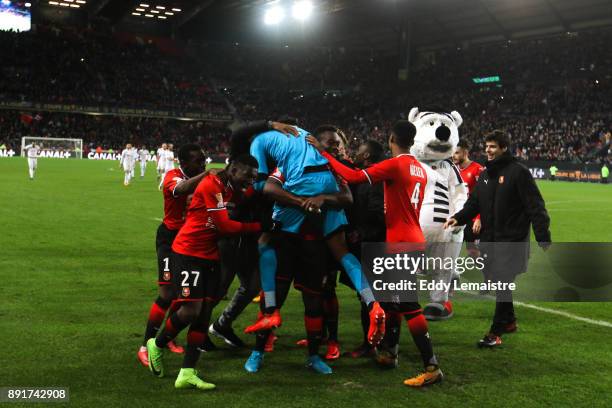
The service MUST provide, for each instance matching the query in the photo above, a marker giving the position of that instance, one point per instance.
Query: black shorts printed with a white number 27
(196, 279)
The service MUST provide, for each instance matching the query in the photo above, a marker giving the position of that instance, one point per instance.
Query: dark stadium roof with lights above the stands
(372, 23)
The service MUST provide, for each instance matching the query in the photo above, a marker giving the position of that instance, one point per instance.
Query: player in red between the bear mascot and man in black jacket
(470, 171)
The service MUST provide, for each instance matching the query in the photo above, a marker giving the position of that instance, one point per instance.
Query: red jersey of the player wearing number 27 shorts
(207, 218)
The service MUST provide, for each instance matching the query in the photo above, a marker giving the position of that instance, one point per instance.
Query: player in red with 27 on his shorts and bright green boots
(195, 265)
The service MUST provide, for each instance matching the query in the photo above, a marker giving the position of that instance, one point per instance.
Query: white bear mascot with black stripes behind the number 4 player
(437, 135)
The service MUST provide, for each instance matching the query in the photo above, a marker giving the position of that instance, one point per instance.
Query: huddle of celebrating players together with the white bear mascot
(293, 207)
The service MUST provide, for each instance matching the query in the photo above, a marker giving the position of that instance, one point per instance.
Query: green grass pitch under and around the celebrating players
(78, 275)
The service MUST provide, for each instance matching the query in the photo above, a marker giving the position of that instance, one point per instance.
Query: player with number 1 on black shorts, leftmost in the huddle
(176, 187)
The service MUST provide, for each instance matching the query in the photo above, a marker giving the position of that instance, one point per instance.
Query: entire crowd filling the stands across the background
(554, 95)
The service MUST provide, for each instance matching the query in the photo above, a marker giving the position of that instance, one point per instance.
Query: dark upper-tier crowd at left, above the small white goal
(69, 66)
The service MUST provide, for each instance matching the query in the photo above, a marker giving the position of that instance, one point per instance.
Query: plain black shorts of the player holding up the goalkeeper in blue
(303, 262)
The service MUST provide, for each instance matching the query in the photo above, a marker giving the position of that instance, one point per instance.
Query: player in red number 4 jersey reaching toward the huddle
(404, 180)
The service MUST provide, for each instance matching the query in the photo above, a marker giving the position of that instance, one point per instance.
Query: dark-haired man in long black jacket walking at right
(508, 201)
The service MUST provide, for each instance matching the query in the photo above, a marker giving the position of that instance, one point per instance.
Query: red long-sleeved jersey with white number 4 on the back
(404, 181)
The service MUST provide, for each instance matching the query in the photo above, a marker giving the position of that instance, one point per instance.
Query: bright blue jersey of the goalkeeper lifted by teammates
(291, 154)
